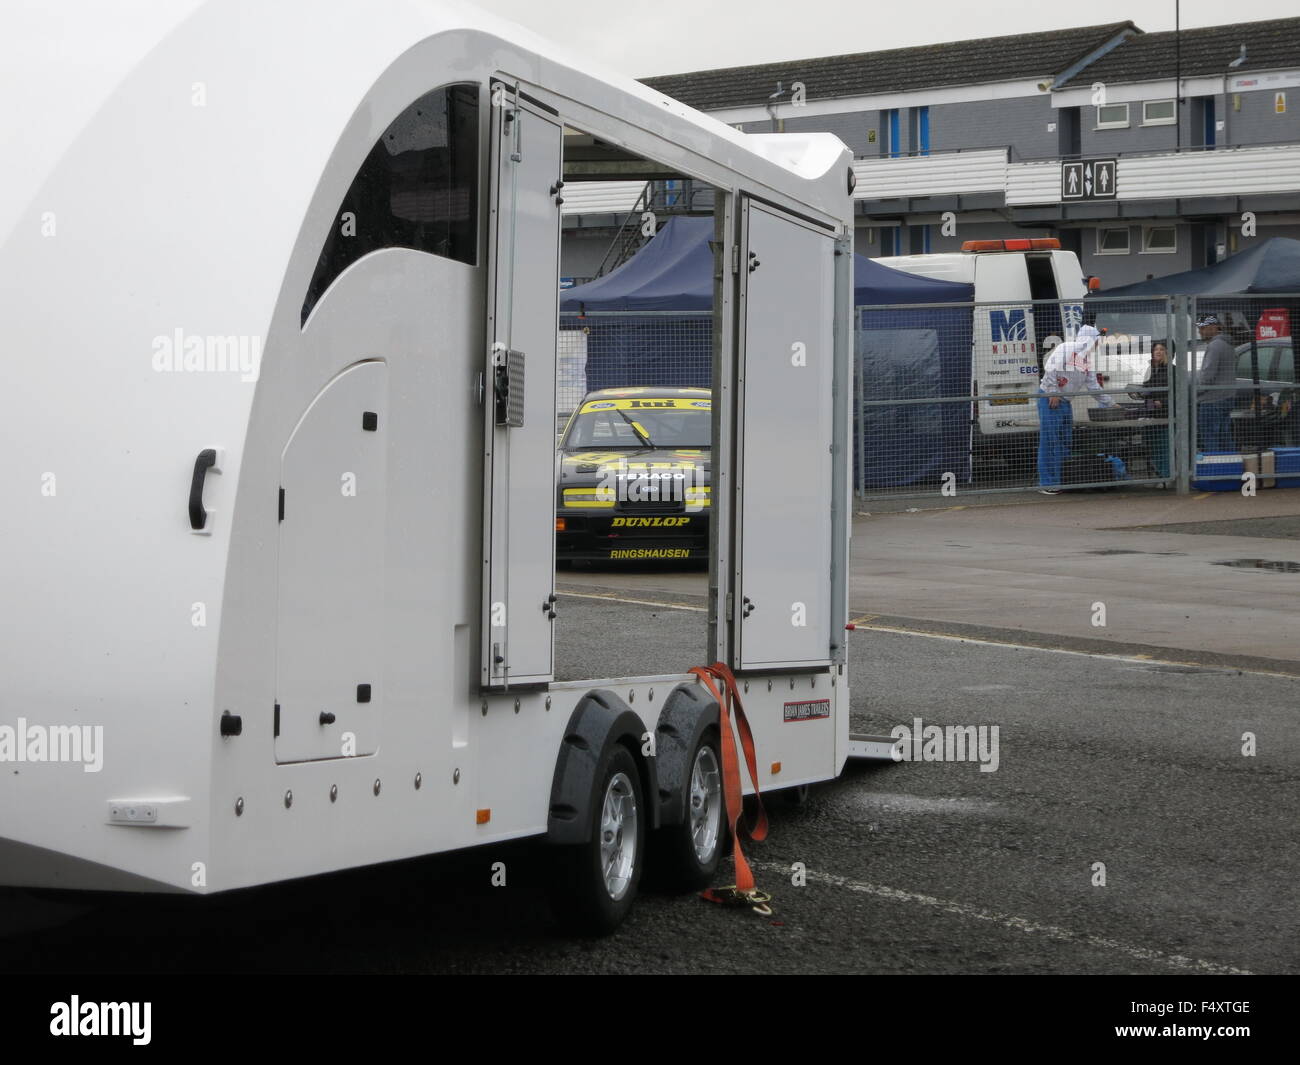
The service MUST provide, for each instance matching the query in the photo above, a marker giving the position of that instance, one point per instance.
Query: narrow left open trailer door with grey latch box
(519, 391)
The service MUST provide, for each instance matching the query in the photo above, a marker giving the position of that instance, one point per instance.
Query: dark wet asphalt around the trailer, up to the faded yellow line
(1128, 764)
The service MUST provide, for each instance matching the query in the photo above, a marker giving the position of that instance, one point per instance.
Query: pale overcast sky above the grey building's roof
(643, 38)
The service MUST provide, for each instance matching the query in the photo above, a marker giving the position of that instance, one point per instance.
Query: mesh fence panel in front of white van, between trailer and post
(956, 397)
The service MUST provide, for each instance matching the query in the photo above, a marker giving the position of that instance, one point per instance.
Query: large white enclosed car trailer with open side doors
(279, 292)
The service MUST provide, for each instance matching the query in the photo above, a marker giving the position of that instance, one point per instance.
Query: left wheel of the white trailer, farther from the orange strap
(596, 882)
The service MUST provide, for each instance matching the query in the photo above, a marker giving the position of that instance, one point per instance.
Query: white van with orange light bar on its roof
(1009, 335)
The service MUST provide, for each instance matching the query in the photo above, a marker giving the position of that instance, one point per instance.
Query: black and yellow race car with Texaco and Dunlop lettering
(634, 477)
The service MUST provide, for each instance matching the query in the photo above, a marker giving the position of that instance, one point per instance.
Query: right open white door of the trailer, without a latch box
(783, 600)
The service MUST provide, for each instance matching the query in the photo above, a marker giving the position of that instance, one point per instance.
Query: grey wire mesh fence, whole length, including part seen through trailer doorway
(959, 399)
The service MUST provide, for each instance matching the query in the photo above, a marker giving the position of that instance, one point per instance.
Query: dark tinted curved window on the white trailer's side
(418, 189)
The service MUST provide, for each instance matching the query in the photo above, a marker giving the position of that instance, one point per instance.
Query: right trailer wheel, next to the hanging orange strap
(687, 855)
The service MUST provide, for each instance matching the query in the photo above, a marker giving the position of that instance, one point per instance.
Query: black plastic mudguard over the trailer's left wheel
(601, 718)
